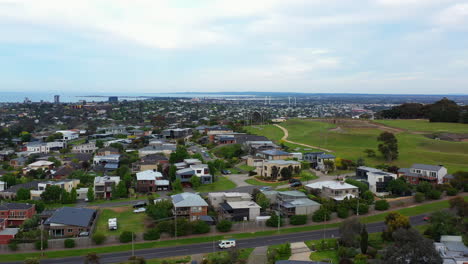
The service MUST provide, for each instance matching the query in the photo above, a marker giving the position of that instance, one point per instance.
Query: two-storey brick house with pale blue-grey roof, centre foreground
(189, 205)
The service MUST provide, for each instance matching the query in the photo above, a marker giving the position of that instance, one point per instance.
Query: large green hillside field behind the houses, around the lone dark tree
(349, 143)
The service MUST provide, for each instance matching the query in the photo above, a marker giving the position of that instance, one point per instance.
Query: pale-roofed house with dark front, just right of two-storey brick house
(239, 210)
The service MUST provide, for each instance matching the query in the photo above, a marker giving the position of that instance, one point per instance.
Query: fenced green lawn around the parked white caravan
(127, 220)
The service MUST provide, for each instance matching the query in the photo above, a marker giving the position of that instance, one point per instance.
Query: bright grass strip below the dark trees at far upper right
(422, 125)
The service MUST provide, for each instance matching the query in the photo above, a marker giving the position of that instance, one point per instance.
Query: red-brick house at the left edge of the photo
(14, 214)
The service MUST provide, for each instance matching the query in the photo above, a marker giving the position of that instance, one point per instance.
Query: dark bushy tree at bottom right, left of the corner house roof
(411, 247)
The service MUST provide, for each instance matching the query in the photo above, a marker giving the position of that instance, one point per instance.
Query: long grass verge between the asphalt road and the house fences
(419, 209)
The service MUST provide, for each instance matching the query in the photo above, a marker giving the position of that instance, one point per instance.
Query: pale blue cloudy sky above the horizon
(165, 46)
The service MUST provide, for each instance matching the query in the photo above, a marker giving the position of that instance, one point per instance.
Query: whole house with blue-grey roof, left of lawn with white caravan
(70, 221)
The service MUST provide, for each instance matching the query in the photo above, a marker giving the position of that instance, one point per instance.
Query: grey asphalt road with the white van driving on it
(192, 249)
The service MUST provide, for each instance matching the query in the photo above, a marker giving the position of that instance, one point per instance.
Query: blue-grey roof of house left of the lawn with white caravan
(72, 216)
